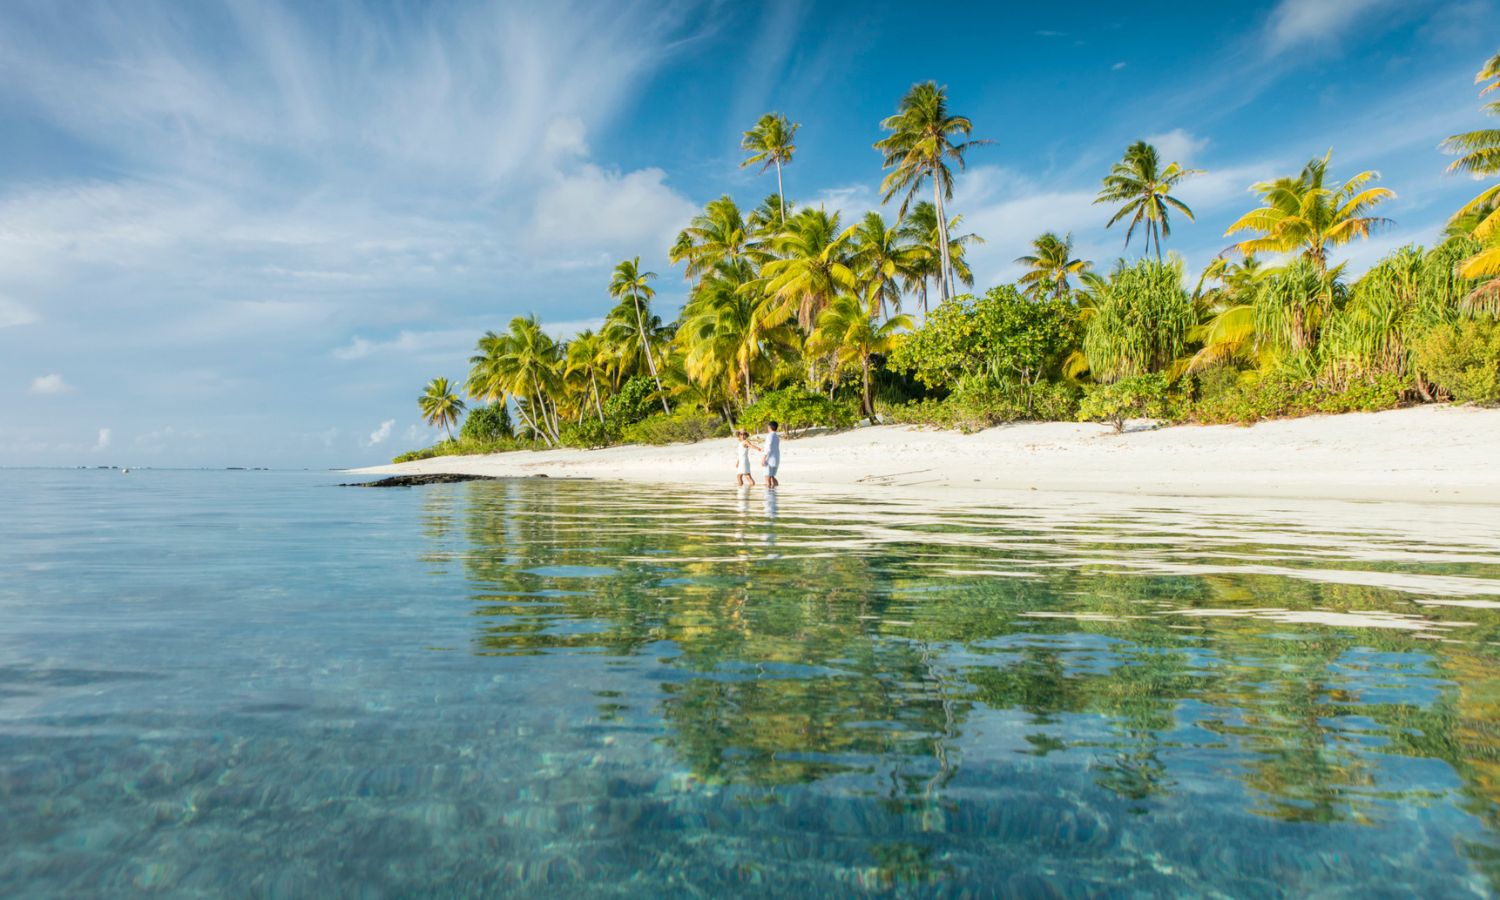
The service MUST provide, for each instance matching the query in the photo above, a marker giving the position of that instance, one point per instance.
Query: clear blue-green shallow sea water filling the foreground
(262, 685)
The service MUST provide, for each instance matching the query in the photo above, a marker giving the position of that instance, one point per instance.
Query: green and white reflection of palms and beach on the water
(1147, 664)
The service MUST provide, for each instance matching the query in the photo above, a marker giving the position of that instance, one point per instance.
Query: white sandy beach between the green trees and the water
(1418, 455)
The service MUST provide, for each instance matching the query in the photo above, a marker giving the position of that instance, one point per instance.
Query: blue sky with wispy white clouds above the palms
(250, 233)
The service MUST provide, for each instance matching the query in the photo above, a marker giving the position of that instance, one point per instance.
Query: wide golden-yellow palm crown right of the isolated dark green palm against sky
(1303, 214)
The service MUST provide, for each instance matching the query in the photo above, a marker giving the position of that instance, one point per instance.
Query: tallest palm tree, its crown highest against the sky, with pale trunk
(923, 139)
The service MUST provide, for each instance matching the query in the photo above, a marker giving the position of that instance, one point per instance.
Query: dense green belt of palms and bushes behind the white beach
(797, 316)
